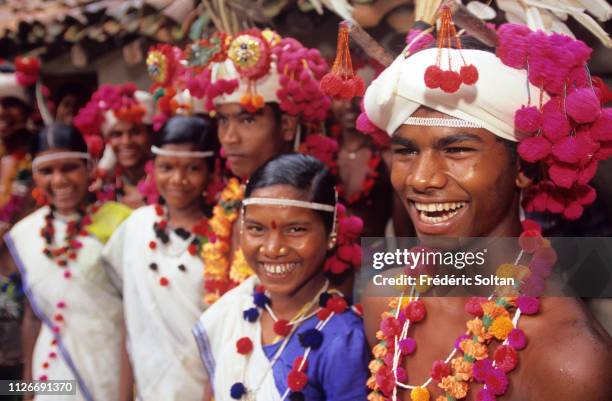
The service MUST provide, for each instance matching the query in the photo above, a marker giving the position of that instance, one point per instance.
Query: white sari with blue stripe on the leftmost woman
(87, 347)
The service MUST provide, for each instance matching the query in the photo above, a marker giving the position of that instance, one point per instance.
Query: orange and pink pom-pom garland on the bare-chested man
(491, 320)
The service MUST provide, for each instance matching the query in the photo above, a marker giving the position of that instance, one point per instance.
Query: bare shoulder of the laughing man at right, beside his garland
(569, 355)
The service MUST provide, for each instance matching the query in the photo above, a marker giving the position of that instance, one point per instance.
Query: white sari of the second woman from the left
(158, 319)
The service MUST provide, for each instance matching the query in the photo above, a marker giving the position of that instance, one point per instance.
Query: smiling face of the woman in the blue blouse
(285, 245)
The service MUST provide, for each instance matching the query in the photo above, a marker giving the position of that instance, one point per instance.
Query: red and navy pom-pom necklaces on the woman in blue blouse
(330, 303)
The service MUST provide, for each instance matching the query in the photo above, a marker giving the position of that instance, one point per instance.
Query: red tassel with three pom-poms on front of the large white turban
(448, 80)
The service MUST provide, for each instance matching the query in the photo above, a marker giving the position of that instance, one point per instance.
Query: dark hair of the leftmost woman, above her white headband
(58, 136)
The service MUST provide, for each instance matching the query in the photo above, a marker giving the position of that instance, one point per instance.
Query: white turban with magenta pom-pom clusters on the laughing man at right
(536, 90)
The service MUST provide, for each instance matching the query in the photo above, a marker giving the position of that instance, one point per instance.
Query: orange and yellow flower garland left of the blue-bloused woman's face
(220, 274)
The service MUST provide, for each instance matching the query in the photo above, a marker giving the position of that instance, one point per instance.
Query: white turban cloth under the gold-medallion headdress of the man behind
(265, 86)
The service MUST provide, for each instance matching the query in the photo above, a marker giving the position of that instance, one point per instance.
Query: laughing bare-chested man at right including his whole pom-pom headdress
(455, 116)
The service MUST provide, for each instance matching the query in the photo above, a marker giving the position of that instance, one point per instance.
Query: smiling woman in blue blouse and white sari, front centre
(286, 333)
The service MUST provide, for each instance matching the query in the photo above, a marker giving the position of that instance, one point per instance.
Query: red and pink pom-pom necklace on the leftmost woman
(63, 255)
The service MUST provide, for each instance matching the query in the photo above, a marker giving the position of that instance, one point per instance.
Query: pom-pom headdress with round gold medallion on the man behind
(251, 68)
